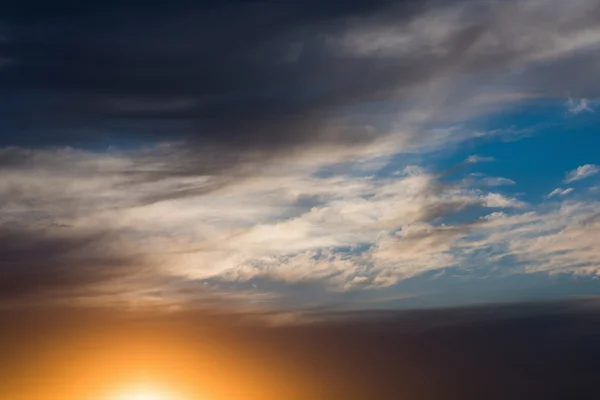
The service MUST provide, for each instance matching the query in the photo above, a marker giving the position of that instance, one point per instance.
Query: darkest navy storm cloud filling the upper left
(216, 74)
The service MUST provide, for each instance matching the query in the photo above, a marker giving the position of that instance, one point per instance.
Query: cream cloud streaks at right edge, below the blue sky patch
(558, 240)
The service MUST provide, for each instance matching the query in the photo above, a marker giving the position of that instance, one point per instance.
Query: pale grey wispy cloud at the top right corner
(535, 30)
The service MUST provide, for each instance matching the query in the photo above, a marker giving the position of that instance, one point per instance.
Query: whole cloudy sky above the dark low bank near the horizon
(300, 155)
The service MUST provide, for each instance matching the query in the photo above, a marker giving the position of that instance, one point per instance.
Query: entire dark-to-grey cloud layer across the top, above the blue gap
(275, 87)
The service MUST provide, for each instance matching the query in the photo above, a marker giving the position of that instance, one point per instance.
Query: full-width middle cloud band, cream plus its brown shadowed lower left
(77, 226)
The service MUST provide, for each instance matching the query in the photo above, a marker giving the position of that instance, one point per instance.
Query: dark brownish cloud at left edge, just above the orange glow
(37, 264)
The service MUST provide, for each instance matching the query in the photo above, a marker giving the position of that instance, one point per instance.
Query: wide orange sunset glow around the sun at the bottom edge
(112, 359)
